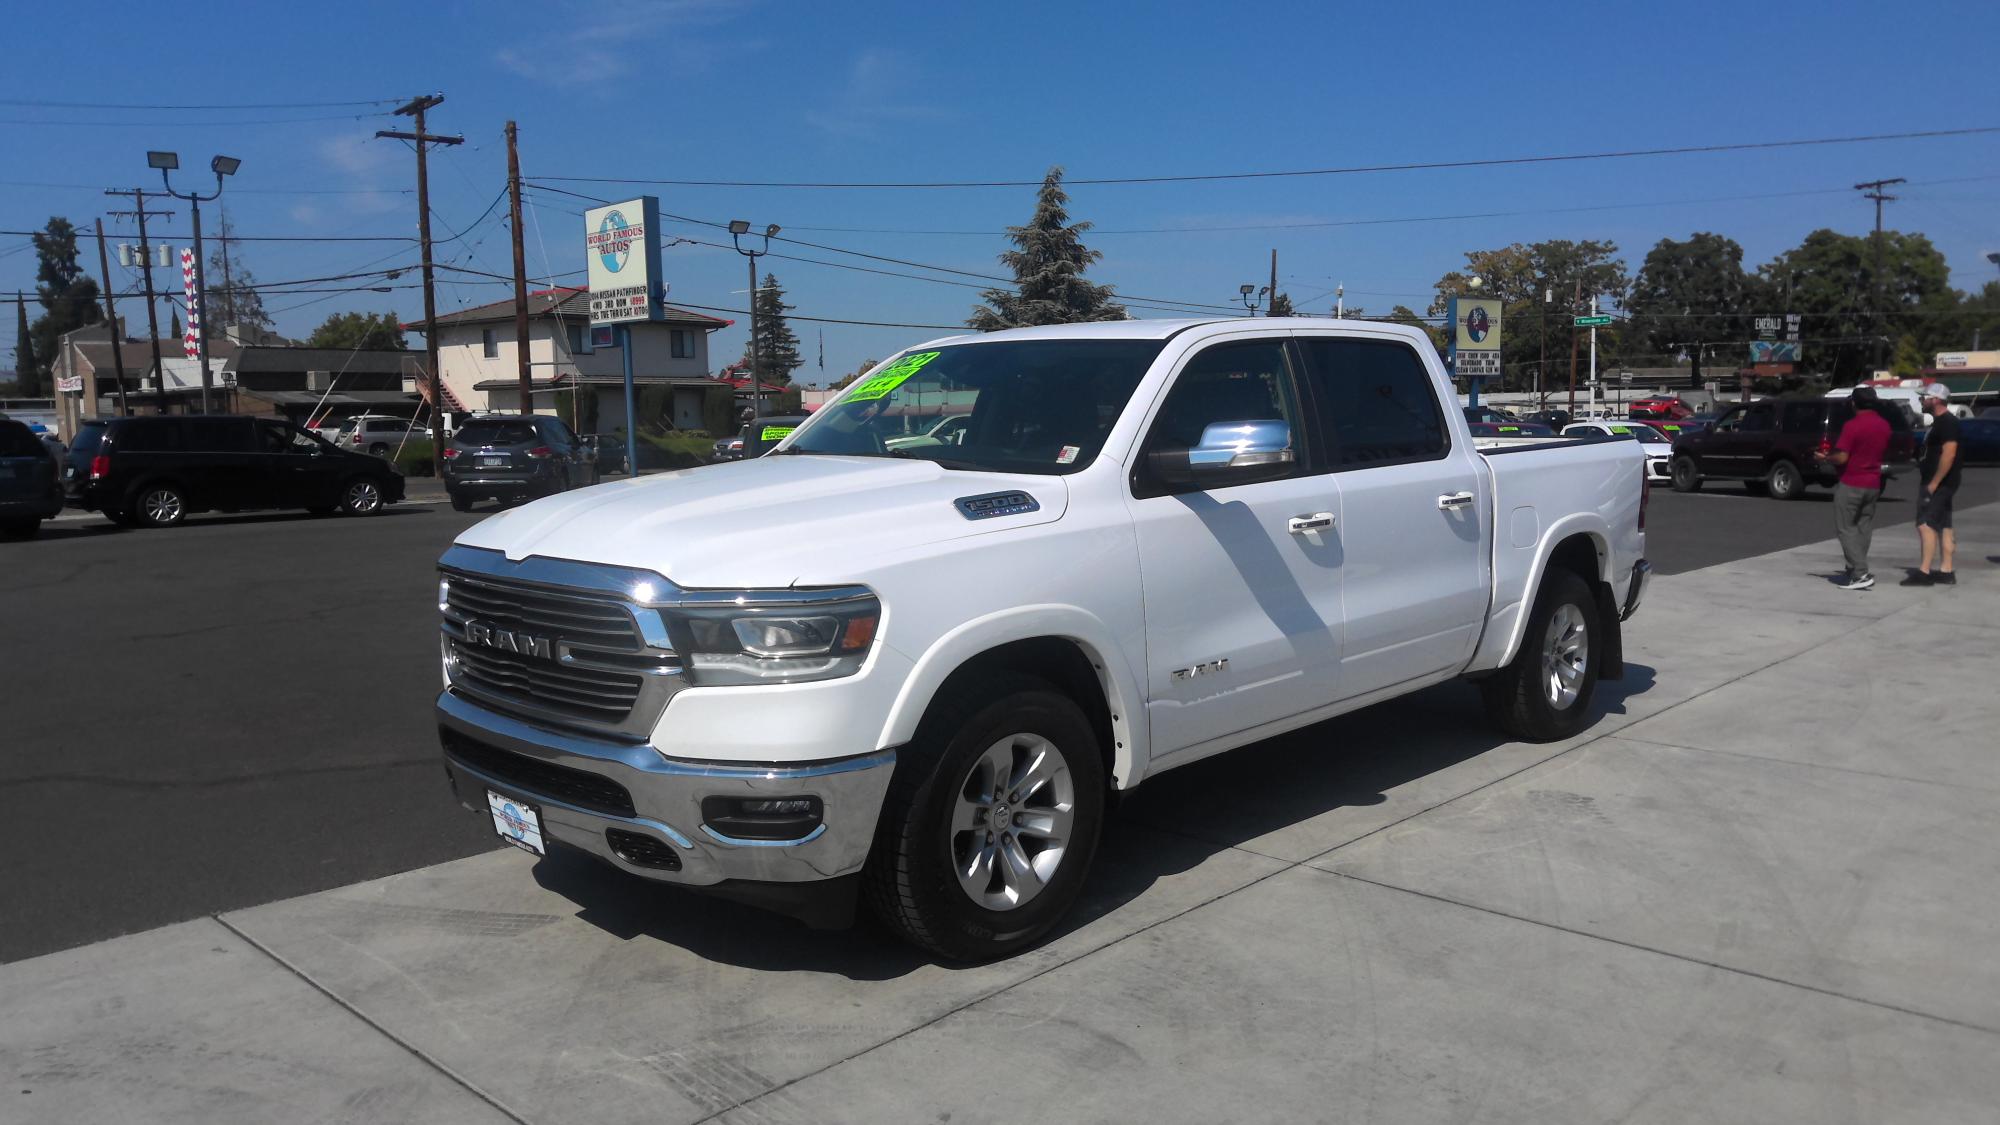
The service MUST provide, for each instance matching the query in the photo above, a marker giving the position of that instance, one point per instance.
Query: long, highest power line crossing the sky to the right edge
(1349, 171)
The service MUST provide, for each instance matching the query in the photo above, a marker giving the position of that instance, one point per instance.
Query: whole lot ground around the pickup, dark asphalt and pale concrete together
(1755, 890)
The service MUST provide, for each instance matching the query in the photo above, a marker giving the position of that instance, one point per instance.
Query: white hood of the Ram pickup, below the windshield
(769, 523)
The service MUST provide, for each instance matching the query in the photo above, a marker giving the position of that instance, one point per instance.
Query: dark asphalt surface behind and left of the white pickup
(239, 712)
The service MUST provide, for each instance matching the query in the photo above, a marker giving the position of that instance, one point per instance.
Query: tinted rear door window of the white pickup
(1375, 401)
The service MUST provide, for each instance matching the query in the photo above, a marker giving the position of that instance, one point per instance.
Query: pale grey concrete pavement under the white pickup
(1761, 888)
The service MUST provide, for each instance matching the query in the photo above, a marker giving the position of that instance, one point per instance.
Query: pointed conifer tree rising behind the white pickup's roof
(1049, 265)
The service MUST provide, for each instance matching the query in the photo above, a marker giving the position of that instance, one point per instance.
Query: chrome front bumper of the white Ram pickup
(665, 800)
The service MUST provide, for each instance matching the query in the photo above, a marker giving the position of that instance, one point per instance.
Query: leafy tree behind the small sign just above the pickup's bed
(1521, 275)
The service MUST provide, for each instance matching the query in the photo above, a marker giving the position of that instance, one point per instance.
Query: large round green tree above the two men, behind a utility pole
(1831, 281)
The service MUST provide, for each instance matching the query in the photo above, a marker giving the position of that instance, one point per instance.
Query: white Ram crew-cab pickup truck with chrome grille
(915, 674)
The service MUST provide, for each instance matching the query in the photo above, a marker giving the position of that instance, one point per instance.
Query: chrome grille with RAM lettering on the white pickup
(565, 658)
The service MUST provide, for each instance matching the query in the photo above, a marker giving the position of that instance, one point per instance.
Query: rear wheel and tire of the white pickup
(1545, 694)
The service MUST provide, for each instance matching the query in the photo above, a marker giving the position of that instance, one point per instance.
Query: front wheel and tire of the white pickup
(991, 822)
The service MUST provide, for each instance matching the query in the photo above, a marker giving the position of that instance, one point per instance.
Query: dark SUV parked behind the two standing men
(1771, 447)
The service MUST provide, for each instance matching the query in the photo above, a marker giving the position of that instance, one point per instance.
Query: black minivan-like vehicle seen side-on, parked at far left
(157, 471)
